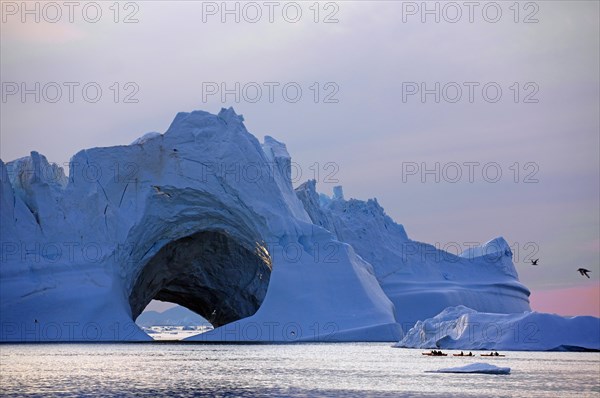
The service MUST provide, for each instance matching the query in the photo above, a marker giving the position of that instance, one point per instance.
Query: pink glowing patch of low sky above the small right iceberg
(568, 301)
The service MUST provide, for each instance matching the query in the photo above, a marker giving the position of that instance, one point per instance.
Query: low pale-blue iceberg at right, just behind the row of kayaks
(462, 328)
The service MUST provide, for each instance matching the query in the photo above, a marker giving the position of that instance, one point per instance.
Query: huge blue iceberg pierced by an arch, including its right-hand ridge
(206, 216)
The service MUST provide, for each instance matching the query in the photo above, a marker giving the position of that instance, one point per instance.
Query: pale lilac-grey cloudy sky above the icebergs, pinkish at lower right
(375, 133)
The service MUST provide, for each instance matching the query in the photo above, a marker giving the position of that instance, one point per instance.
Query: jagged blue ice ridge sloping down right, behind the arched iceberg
(420, 279)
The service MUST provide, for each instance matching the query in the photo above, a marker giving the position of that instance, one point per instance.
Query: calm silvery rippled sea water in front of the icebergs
(357, 369)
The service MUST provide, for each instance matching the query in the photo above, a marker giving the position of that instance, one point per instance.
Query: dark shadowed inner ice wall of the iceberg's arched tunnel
(210, 273)
